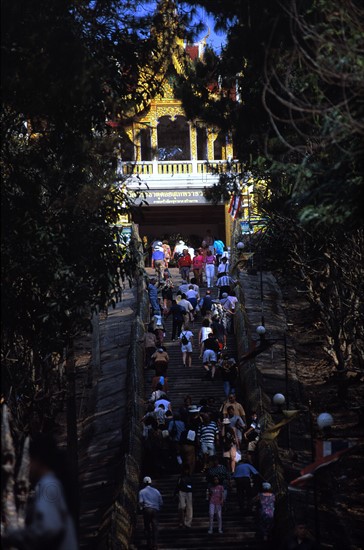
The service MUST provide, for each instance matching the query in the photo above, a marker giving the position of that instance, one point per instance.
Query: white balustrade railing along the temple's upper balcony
(184, 168)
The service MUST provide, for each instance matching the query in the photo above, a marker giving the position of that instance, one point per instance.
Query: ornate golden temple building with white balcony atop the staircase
(173, 159)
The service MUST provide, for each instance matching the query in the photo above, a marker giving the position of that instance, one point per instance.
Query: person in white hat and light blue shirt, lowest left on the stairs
(150, 502)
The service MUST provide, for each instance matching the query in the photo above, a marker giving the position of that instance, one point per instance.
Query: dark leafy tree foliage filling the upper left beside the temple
(68, 68)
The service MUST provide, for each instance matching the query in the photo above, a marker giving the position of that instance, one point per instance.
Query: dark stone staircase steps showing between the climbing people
(239, 529)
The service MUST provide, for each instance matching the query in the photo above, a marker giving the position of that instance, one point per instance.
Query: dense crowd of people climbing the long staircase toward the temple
(214, 438)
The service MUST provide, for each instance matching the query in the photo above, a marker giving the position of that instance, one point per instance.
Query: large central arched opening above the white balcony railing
(173, 138)
